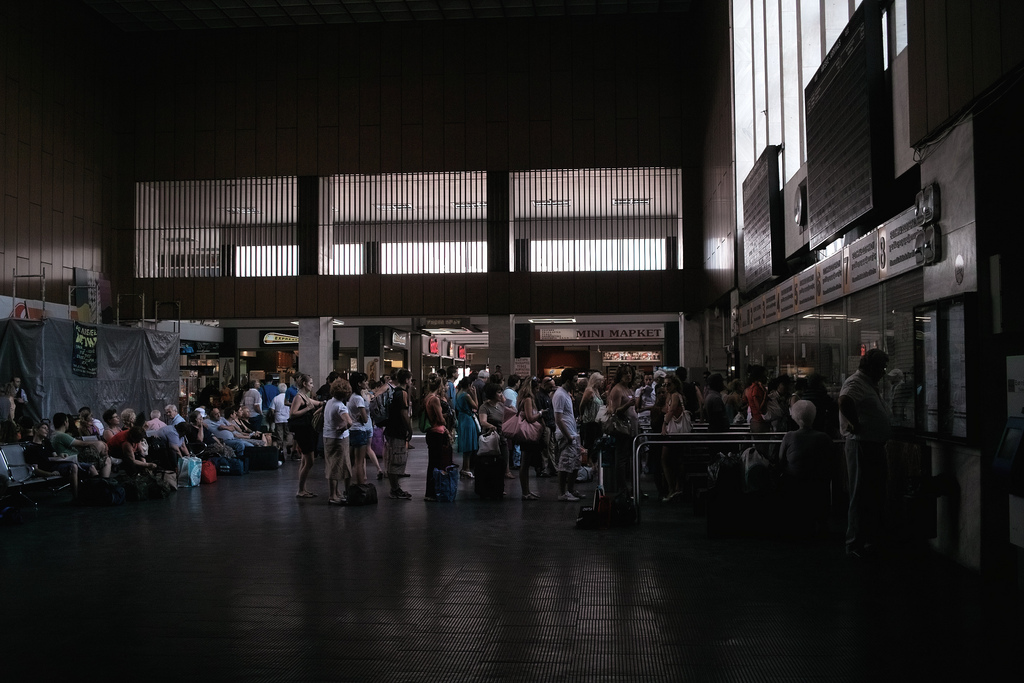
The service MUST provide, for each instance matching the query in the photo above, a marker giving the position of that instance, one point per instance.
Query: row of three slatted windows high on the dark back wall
(409, 224)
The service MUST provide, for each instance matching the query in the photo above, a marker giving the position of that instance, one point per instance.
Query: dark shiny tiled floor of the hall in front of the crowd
(241, 582)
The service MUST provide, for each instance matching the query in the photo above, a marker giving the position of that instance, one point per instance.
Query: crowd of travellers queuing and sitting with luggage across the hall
(351, 420)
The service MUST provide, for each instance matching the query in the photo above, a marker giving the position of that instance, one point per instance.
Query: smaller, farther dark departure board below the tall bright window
(764, 235)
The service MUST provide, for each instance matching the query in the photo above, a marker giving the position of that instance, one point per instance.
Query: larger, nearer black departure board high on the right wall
(849, 129)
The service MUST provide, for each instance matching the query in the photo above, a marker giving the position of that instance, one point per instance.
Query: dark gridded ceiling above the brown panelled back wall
(141, 16)
